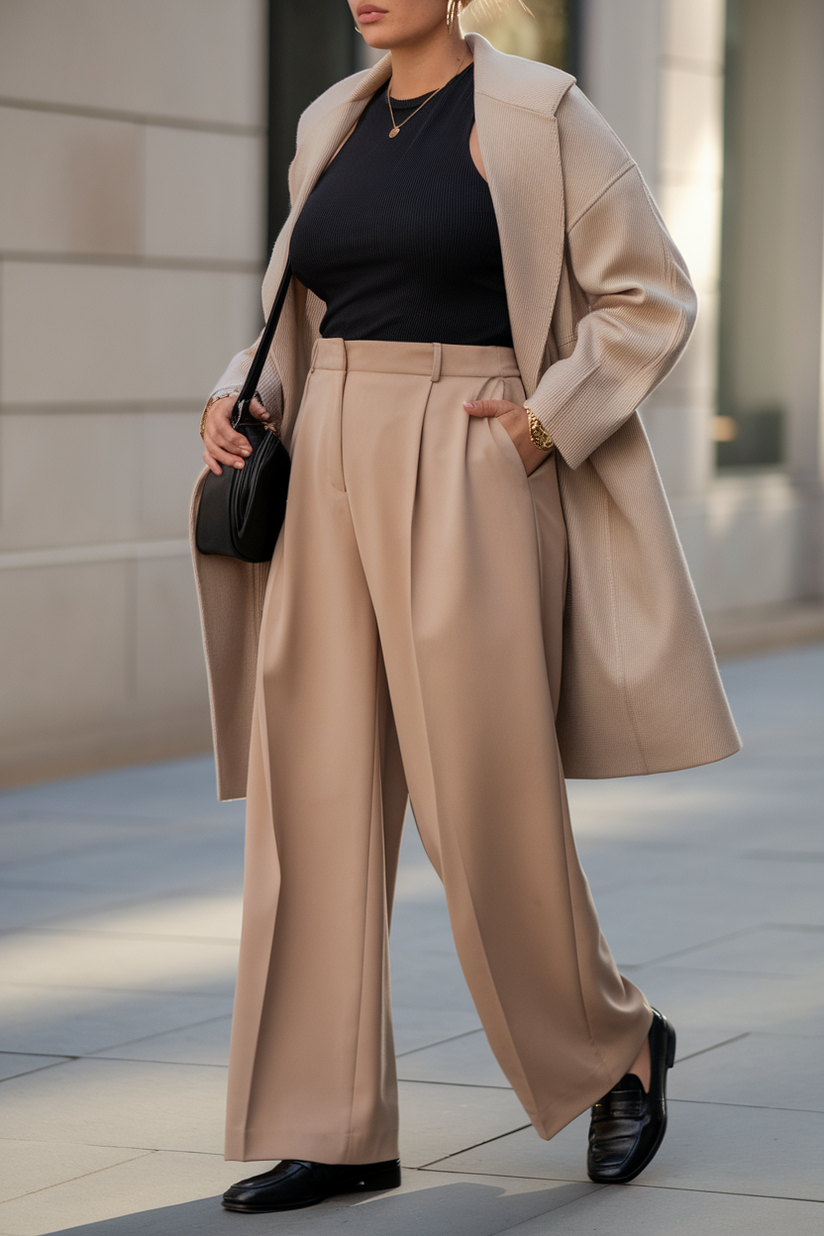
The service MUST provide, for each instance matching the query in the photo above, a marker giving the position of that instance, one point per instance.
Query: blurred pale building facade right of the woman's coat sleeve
(723, 106)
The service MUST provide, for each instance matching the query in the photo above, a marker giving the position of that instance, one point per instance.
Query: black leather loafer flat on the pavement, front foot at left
(296, 1183)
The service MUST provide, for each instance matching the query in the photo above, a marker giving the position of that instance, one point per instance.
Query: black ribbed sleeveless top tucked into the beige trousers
(400, 237)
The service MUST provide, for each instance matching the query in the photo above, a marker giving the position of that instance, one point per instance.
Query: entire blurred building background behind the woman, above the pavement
(144, 149)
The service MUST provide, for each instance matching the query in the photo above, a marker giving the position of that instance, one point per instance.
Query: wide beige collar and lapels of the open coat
(516, 104)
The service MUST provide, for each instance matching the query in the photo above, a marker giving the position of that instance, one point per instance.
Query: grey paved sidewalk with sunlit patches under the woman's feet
(120, 910)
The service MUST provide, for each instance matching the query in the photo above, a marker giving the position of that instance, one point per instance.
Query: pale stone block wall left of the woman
(132, 245)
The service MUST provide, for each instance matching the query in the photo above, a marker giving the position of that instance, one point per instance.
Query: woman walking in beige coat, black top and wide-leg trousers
(479, 589)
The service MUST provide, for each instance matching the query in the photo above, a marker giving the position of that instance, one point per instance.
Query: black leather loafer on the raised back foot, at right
(628, 1125)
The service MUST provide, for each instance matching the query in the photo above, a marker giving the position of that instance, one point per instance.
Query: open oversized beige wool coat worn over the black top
(601, 307)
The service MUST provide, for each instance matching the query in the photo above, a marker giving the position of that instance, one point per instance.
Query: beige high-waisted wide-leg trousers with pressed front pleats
(412, 638)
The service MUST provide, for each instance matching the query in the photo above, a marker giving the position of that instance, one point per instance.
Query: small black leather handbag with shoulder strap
(242, 511)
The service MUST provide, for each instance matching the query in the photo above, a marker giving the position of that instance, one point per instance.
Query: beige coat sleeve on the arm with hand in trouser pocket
(642, 305)
